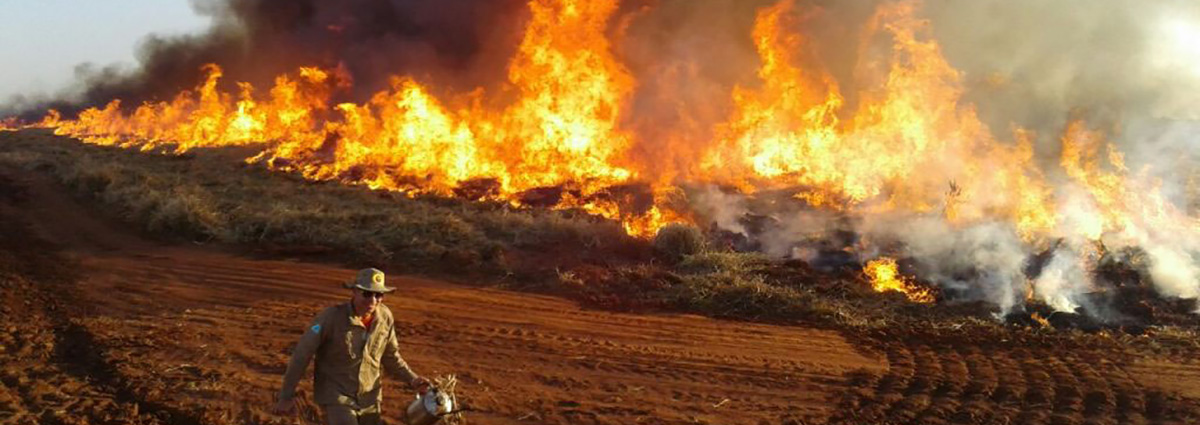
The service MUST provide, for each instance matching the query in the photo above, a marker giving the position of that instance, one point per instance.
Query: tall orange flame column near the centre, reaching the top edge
(573, 92)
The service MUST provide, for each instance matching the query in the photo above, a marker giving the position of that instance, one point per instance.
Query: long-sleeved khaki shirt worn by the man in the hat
(349, 356)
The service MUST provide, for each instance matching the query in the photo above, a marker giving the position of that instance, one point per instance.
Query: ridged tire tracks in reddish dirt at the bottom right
(955, 384)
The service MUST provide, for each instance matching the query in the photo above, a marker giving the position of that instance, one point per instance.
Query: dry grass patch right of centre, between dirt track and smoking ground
(740, 286)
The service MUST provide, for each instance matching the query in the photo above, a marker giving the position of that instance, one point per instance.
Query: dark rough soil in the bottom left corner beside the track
(50, 373)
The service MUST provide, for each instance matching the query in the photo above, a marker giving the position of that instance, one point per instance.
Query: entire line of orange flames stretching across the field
(904, 141)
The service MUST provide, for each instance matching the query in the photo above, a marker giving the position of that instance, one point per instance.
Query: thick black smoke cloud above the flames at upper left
(457, 44)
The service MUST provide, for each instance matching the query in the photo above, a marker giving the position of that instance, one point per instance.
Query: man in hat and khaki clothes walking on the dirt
(351, 342)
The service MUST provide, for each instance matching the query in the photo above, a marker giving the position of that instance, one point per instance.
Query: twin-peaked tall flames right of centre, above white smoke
(893, 149)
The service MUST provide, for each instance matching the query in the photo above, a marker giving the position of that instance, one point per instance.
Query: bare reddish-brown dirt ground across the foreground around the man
(99, 326)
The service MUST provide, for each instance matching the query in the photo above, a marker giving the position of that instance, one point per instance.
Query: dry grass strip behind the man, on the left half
(211, 196)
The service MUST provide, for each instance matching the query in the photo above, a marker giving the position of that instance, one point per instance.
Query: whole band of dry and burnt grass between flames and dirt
(214, 197)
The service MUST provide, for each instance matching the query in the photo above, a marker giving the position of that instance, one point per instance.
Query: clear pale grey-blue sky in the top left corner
(43, 41)
